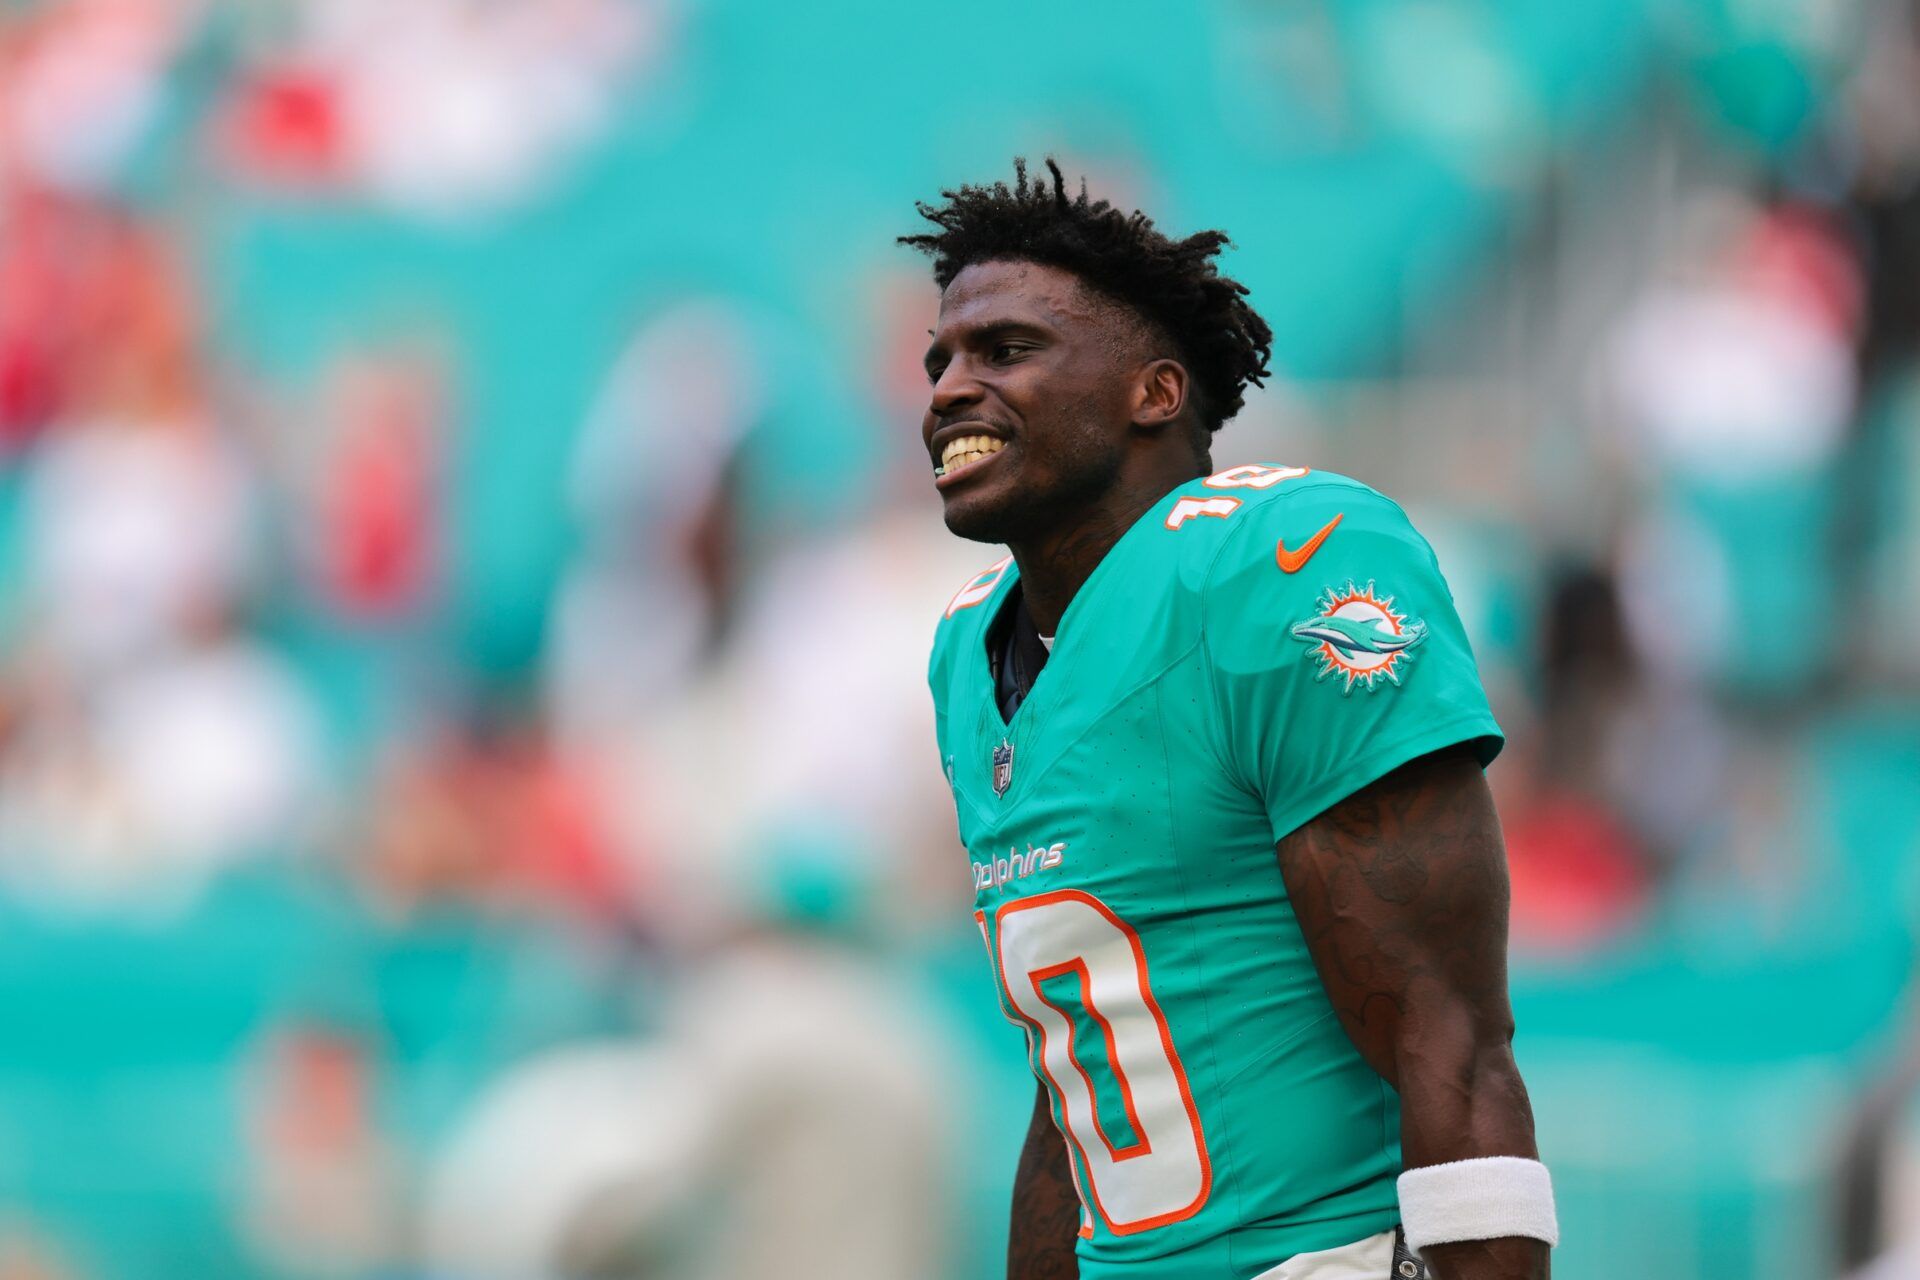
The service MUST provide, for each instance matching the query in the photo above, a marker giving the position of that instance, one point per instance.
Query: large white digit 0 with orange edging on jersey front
(1070, 968)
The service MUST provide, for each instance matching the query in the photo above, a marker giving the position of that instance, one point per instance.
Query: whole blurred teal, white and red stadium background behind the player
(468, 803)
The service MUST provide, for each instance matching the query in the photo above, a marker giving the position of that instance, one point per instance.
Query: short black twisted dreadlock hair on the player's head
(1172, 285)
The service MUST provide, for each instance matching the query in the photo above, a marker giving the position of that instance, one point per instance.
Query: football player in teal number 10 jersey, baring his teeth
(1216, 746)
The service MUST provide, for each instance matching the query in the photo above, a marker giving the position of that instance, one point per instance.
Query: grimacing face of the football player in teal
(1030, 408)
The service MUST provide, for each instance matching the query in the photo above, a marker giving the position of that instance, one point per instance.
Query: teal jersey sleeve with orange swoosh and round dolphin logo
(1335, 650)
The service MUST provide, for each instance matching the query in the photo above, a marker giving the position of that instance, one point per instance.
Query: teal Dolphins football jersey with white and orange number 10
(1257, 648)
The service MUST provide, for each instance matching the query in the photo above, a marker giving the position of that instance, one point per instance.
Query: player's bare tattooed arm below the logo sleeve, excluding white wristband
(1403, 897)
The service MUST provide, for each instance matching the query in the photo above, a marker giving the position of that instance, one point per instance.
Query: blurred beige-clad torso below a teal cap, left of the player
(830, 1150)
